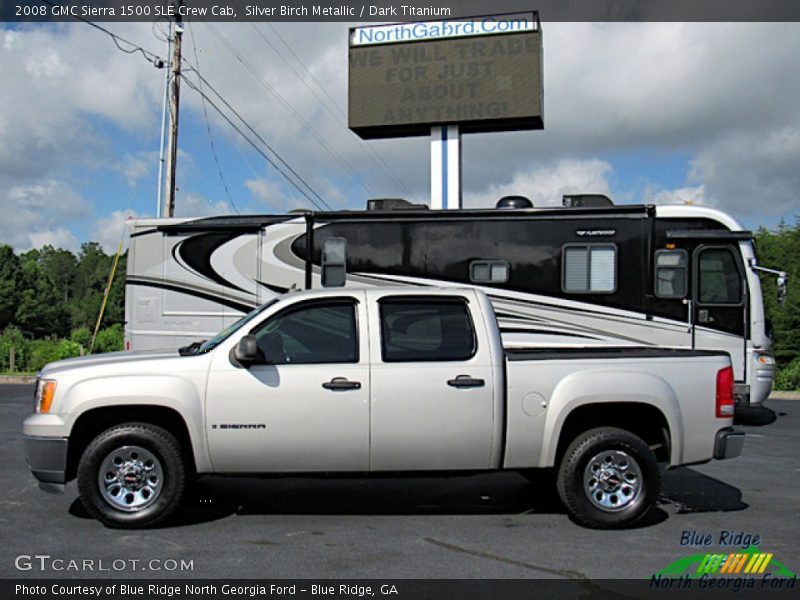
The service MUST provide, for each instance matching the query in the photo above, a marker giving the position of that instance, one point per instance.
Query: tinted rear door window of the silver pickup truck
(425, 330)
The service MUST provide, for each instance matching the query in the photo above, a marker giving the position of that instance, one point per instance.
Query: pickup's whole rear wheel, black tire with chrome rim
(618, 496)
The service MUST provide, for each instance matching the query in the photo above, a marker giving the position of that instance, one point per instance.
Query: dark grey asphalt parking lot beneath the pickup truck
(486, 526)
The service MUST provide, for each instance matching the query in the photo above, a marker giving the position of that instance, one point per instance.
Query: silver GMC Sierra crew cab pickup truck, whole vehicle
(377, 381)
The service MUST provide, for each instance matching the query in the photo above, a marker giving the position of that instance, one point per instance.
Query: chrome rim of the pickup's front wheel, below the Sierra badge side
(130, 478)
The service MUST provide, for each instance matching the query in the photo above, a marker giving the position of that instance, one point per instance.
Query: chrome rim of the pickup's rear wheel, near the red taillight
(612, 480)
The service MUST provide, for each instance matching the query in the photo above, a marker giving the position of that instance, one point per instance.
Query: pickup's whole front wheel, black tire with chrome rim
(149, 481)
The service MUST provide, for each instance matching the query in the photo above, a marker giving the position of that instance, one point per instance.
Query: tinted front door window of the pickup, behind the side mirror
(312, 333)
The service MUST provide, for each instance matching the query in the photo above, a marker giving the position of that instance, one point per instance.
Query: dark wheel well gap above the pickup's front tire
(93, 422)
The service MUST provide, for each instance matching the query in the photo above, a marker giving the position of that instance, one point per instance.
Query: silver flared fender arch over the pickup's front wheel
(167, 391)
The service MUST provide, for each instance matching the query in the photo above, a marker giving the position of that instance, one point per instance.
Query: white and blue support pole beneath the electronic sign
(445, 167)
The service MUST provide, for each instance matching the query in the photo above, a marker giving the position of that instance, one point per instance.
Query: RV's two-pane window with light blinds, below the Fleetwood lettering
(589, 268)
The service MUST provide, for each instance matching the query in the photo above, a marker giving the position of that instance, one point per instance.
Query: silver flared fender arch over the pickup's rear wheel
(600, 386)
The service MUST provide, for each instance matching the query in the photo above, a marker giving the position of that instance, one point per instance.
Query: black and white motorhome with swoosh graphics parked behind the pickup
(587, 273)
